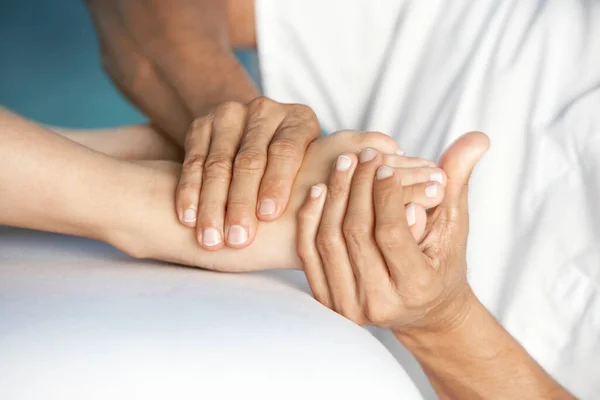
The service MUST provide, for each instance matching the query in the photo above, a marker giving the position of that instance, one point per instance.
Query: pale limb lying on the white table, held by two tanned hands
(50, 183)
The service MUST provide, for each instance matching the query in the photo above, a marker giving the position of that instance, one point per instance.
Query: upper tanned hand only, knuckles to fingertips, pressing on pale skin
(241, 161)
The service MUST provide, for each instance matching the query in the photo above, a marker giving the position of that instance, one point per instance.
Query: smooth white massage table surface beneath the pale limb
(81, 320)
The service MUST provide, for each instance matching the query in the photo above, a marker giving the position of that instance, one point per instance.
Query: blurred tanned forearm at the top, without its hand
(174, 59)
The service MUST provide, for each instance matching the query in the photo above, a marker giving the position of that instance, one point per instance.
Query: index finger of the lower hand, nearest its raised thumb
(392, 234)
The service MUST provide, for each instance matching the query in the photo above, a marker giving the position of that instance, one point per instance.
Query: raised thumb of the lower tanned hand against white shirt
(458, 161)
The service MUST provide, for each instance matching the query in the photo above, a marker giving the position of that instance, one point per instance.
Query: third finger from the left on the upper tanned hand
(250, 165)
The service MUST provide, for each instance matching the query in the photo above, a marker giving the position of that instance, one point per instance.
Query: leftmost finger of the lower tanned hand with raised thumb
(309, 218)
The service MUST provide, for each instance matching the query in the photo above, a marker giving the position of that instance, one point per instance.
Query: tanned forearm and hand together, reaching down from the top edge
(174, 60)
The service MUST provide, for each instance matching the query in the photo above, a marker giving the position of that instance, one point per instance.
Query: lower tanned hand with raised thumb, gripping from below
(367, 265)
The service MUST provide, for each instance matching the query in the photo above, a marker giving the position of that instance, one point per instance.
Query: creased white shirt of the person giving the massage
(526, 72)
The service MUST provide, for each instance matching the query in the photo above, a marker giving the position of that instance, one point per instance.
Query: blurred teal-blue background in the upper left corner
(50, 66)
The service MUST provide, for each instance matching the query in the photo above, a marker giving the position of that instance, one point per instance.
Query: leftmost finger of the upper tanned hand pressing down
(190, 180)
